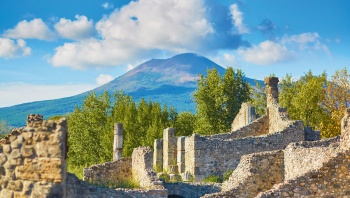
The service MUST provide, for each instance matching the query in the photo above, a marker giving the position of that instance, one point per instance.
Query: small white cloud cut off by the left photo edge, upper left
(12, 49)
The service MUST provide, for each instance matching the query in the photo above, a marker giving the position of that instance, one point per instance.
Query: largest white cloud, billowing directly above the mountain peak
(137, 30)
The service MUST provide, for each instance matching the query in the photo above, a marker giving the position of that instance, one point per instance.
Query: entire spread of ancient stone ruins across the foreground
(271, 156)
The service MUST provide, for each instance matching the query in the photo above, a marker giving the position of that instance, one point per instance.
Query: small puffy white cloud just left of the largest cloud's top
(81, 28)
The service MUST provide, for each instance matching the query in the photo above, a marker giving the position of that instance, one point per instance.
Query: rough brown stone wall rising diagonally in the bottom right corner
(331, 179)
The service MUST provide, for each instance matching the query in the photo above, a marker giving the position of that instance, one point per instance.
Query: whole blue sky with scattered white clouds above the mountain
(53, 49)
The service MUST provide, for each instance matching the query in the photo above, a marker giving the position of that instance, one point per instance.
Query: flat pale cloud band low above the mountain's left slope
(18, 93)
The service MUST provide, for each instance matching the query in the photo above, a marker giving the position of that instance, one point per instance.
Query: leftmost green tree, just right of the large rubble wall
(86, 127)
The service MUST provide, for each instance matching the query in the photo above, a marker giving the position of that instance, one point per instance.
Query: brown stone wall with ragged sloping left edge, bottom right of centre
(256, 173)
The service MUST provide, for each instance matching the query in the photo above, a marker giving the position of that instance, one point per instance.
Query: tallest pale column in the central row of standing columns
(169, 148)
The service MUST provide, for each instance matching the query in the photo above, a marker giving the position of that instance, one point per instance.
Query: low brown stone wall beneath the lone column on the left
(109, 172)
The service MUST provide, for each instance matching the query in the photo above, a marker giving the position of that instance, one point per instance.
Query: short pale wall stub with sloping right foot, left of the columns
(142, 171)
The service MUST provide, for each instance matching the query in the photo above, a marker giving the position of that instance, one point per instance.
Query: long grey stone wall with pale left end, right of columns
(206, 156)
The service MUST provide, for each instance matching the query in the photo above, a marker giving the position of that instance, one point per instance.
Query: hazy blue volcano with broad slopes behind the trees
(170, 81)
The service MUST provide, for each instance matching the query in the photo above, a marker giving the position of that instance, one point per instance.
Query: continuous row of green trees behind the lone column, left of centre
(91, 136)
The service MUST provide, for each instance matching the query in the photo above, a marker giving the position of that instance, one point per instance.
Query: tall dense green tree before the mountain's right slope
(219, 100)
